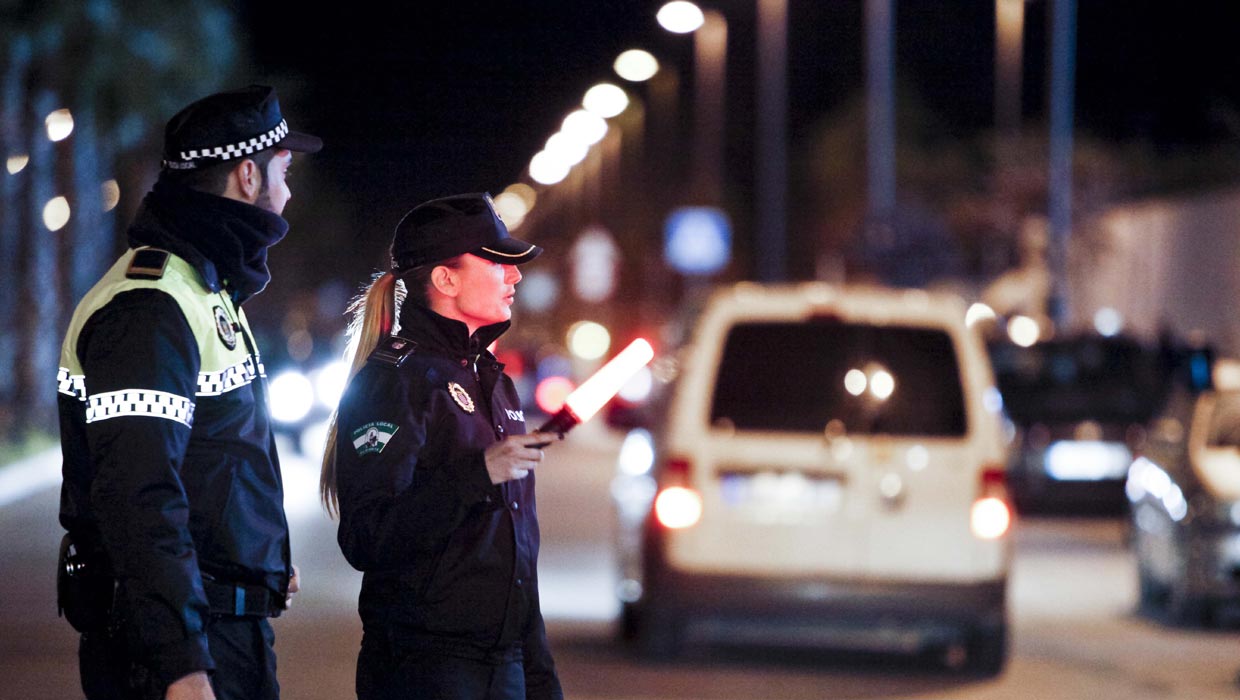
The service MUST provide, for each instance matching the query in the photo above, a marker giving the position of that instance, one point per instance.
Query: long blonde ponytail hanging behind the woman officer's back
(375, 315)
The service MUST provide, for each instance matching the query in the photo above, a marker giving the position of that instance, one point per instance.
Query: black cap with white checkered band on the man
(230, 126)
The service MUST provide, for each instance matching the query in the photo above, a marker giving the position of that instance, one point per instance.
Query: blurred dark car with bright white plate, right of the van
(1079, 406)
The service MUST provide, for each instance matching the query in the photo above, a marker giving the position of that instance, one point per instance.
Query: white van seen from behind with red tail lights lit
(824, 468)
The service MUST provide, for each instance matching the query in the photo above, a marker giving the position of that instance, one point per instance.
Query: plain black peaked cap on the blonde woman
(453, 226)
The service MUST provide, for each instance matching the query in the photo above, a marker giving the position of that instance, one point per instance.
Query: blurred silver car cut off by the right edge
(1185, 494)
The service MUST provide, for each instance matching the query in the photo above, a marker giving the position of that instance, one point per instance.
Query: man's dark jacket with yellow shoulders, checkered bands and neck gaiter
(170, 464)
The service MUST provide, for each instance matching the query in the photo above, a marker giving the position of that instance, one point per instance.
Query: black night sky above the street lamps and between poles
(421, 100)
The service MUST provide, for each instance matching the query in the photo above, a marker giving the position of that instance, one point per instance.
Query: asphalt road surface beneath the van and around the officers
(1073, 593)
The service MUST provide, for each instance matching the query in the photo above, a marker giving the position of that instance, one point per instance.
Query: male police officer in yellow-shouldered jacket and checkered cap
(178, 547)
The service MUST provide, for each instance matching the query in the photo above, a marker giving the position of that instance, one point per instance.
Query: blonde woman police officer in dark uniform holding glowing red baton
(432, 473)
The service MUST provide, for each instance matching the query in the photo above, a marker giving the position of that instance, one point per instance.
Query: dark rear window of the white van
(798, 377)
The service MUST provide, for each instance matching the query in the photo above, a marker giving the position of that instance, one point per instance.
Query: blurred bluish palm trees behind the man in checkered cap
(122, 69)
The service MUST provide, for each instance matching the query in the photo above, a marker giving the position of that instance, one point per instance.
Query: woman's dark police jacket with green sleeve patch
(449, 559)
